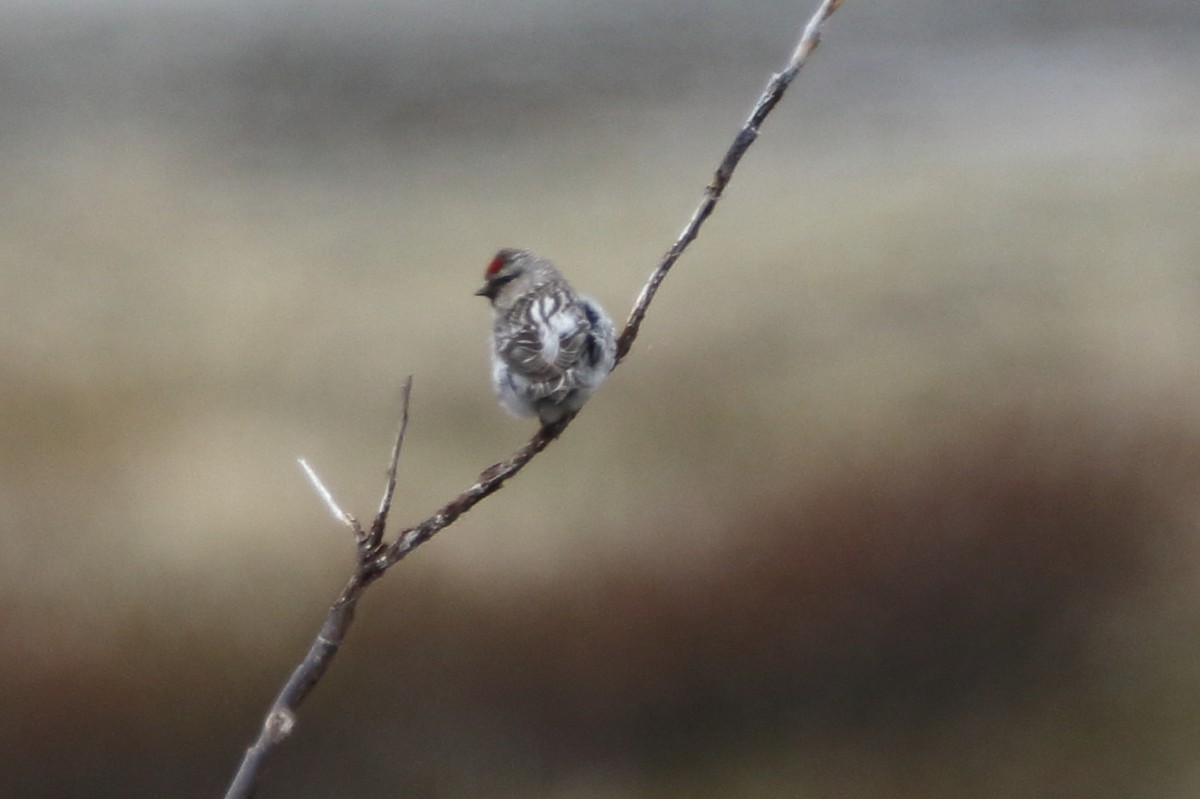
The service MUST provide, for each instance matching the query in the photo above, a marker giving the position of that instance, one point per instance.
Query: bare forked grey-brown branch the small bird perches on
(376, 557)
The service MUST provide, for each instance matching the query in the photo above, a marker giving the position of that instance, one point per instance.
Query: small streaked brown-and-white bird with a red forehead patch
(551, 347)
